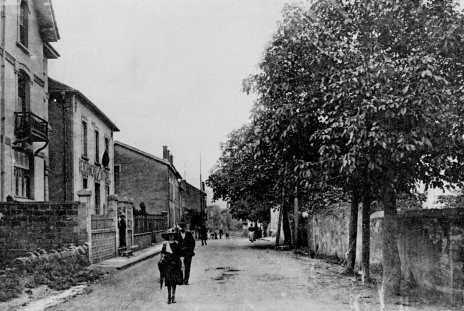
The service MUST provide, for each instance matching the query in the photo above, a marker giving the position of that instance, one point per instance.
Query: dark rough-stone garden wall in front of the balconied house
(28, 226)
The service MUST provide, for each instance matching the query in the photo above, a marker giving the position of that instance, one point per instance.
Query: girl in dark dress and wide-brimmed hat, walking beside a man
(170, 266)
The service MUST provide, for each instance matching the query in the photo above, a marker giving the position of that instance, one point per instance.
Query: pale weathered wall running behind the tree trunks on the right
(430, 243)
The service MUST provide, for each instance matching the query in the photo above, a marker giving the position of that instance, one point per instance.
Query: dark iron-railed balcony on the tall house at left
(30, 127)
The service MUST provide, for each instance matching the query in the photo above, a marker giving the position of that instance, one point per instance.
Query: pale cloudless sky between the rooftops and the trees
(167, 72)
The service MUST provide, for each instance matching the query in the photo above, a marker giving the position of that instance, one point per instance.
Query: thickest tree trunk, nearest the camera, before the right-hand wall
(391, 258)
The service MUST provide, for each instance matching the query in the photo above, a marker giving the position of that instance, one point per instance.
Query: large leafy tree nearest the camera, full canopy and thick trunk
(372, 90)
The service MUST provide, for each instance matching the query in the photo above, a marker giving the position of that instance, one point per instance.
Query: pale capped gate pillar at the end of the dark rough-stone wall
(85, 220)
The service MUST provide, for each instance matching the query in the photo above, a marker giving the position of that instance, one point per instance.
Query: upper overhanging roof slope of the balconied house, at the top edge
(46, 20)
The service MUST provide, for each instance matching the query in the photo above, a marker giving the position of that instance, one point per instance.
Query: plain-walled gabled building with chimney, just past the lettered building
(146, 178)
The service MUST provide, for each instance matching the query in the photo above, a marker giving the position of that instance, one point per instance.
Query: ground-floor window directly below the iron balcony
(22, 174)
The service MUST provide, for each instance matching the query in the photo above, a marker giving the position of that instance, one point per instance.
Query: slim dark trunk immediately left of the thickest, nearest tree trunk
(366, 238)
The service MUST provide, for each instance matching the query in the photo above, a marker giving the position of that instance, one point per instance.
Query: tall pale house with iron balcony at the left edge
(27, 28)
